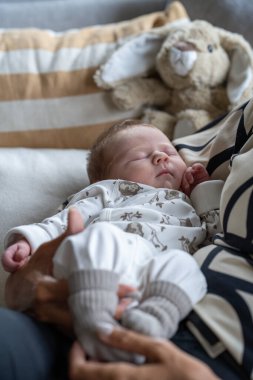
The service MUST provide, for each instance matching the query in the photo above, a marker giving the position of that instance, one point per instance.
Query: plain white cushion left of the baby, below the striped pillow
(34, 182)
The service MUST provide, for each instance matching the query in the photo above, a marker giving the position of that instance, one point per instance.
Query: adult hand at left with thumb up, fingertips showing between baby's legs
(34, 290)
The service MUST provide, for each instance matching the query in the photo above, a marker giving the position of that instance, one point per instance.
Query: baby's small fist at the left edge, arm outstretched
(15, 256)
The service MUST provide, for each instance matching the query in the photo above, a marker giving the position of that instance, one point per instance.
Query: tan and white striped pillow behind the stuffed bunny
(48, 97)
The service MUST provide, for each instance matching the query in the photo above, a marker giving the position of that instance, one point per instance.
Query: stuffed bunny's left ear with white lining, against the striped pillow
(136, 57)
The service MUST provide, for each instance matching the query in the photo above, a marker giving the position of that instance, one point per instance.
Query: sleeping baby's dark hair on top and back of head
(97, 160)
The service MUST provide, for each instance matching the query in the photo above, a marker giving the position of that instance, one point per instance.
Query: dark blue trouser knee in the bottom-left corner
(30, 350)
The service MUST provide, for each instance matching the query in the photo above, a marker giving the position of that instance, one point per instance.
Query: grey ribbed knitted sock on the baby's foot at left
(93, 301)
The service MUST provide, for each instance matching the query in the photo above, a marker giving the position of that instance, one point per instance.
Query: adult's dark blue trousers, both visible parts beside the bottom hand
(31, 350)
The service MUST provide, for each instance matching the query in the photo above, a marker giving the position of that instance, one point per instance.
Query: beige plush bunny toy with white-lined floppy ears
(181, 76)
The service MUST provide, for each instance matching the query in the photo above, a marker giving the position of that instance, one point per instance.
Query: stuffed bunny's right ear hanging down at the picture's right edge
(241, 64)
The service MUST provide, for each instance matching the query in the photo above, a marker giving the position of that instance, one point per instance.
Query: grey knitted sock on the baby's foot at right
(161, 309)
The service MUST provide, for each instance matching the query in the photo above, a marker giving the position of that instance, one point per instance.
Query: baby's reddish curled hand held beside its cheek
(193, 175)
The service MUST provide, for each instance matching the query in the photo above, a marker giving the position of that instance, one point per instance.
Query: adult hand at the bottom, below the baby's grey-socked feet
(164, 361)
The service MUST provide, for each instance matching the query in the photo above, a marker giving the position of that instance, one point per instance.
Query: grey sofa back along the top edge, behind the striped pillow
(234, 15)
